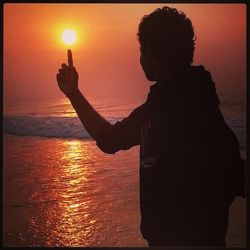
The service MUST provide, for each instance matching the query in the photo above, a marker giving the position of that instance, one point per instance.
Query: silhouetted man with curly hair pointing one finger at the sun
(189, 158)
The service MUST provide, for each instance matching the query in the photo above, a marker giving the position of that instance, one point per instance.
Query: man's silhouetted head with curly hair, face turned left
(167, 42)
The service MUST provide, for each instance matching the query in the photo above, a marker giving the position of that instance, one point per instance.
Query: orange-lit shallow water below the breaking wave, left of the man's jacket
(69, 194)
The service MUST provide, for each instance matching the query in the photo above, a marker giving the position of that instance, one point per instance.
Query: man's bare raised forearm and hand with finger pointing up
(67, 79)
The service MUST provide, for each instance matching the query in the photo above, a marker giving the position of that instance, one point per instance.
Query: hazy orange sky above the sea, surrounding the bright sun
(107, 52)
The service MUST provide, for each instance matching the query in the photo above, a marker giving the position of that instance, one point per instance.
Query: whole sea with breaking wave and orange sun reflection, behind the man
(59, 189)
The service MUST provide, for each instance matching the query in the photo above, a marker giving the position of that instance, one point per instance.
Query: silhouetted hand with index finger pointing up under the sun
(67, 78)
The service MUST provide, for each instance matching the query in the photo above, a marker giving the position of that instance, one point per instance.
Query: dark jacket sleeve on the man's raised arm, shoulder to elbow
(122, 135)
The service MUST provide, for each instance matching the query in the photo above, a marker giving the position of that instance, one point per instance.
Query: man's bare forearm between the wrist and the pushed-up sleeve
(92, 121)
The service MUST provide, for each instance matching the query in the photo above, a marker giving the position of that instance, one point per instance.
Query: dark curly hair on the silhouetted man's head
(170, 35)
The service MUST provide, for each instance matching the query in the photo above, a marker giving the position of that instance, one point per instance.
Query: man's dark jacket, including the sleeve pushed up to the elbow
(189, 157)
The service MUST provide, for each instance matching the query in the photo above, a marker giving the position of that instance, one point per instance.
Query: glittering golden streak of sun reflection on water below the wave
(76, 219)
